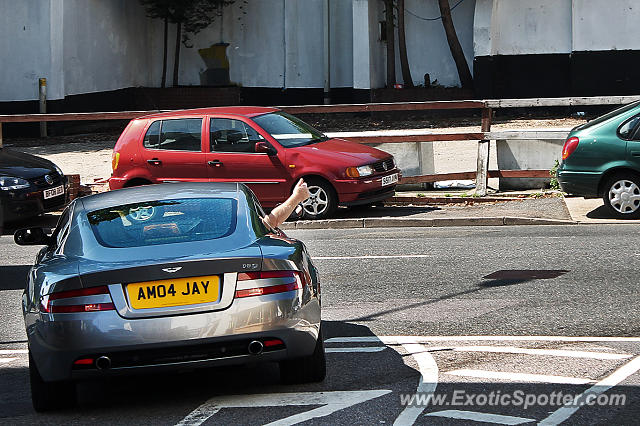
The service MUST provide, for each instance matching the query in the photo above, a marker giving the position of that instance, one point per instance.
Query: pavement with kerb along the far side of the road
(444, 208)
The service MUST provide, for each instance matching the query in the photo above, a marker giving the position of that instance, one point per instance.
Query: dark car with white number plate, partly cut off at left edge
(29, 185)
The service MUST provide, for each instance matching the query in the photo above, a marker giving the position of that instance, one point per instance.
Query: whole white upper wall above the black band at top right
(525, 27)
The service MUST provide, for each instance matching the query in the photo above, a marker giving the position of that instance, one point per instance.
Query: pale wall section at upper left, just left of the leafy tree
(109, 45)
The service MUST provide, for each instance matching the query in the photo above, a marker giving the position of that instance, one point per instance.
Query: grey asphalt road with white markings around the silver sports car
(408, 312)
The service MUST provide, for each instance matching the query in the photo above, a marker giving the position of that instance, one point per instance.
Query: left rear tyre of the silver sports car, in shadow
(47, 396)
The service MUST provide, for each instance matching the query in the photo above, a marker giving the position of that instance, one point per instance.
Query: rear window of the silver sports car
(164, 222)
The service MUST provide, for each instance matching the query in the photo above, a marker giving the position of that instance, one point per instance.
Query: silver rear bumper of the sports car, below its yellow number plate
(173, 342)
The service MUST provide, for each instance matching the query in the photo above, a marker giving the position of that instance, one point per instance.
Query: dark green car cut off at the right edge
(601, 158)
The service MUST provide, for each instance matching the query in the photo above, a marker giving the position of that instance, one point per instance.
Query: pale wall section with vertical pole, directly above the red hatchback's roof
(277, 43)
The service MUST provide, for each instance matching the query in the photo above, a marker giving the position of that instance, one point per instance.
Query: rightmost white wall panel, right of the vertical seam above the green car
(606, 25)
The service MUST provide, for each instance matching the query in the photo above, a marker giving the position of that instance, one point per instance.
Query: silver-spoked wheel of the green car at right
(622, 196)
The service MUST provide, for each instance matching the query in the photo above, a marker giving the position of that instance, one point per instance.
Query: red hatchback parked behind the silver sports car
(265, 148)
